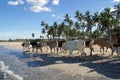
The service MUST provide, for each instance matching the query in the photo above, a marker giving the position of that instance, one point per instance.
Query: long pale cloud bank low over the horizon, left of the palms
(19, 35)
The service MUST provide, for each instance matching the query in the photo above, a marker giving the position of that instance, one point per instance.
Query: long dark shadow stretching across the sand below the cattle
(109, 67)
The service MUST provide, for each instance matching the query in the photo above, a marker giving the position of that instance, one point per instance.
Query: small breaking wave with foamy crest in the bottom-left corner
(6, 74)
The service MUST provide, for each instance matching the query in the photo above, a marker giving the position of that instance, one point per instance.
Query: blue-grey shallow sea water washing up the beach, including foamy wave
(15, 65)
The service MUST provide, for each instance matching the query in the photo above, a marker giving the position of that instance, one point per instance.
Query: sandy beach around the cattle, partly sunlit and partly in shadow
(97, 65)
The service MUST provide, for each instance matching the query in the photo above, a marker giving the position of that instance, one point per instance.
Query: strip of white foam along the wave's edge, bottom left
(10, 73)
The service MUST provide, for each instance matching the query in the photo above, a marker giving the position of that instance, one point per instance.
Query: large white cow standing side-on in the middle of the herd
(74, 45)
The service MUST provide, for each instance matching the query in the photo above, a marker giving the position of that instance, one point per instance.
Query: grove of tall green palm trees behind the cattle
(83, 26)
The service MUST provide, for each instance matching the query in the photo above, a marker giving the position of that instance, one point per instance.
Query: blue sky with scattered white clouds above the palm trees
(20, 18)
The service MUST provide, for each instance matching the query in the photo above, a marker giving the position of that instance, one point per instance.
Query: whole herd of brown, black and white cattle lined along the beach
(80, 45)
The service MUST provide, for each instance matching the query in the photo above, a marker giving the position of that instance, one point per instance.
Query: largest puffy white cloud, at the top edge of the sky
(38, 5)
